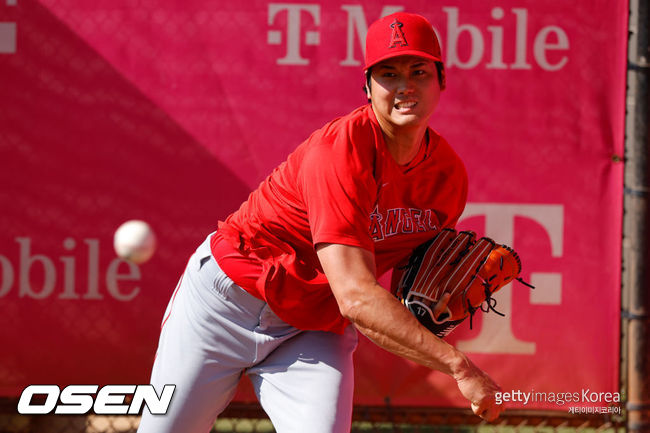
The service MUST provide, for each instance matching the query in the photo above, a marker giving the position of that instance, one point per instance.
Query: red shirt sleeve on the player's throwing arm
(338, 186)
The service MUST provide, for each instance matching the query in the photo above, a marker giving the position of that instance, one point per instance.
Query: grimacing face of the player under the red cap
(404, 91)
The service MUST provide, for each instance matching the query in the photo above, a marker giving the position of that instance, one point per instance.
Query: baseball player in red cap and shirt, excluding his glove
(280, 290)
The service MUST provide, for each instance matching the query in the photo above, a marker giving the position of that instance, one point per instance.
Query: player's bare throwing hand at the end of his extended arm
(477, 387)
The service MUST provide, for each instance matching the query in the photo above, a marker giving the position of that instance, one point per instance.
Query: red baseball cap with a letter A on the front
(401, 34)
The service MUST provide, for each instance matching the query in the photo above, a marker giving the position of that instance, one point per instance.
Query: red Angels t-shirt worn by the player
(339, 186)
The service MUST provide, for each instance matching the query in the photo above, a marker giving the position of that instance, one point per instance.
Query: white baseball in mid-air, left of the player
(134, 241)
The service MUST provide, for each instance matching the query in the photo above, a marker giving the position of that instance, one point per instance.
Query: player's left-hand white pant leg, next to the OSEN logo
(208, 338)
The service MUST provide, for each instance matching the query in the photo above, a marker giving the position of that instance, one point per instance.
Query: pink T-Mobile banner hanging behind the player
(172, 112)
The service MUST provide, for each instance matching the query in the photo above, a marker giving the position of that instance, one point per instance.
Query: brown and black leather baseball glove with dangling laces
(456, 269)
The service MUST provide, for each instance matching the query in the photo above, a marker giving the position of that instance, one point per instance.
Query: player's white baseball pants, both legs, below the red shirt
(214, 331)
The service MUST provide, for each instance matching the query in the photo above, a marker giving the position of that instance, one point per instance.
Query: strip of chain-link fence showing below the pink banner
(249, 418)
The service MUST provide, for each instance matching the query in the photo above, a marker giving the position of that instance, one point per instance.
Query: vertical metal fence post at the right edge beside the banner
(636, 236)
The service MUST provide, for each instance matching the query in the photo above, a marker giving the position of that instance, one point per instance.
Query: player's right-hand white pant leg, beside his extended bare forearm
(307, 383)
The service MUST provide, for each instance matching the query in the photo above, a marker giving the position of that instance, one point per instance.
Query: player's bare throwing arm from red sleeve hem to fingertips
(381, 317)
